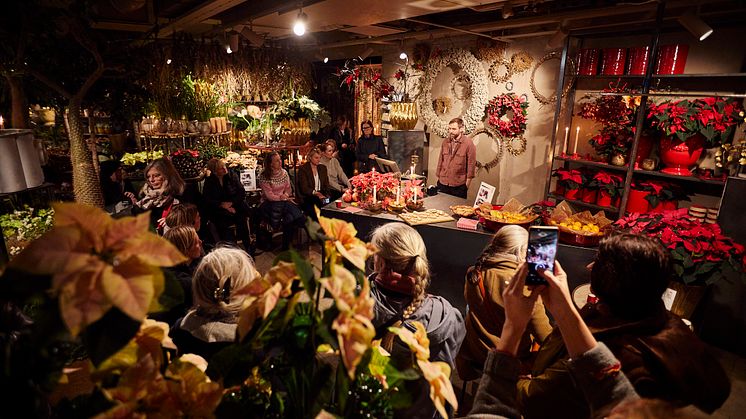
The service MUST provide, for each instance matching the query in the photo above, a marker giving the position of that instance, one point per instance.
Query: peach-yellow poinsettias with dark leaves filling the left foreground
(82, 292)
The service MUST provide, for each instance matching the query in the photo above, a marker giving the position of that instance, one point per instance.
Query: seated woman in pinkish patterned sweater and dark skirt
(277, 204)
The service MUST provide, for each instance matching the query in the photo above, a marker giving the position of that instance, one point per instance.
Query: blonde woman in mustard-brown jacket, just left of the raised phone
(485, 282)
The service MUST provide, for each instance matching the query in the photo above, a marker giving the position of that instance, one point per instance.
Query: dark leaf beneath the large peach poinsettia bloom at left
(108, 335)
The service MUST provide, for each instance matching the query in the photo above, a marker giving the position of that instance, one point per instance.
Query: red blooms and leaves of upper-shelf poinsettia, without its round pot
(715, 118)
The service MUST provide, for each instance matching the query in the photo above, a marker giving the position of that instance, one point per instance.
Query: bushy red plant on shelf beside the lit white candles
(616, 113)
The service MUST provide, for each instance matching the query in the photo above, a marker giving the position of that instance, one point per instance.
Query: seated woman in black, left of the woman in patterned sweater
(225, 204)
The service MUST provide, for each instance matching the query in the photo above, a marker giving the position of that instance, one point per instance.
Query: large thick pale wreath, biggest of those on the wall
(479, 91)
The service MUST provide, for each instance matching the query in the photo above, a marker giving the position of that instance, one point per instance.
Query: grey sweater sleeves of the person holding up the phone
(603, 386)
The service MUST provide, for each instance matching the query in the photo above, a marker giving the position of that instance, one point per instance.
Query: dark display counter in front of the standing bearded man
(451, 250)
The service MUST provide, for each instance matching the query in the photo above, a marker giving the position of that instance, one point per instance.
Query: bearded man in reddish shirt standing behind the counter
(458, 157)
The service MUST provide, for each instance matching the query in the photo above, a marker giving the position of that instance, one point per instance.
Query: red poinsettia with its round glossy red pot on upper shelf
(690, 125)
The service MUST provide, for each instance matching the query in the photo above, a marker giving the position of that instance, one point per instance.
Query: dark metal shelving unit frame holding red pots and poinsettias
(727, 84)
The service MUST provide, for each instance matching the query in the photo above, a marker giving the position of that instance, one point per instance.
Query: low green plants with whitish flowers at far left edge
(23, 226)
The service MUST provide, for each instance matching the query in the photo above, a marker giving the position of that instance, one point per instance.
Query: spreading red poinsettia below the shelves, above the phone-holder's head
(699, 252)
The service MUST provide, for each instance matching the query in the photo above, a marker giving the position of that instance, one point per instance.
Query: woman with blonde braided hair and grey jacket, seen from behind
(398, 285)
